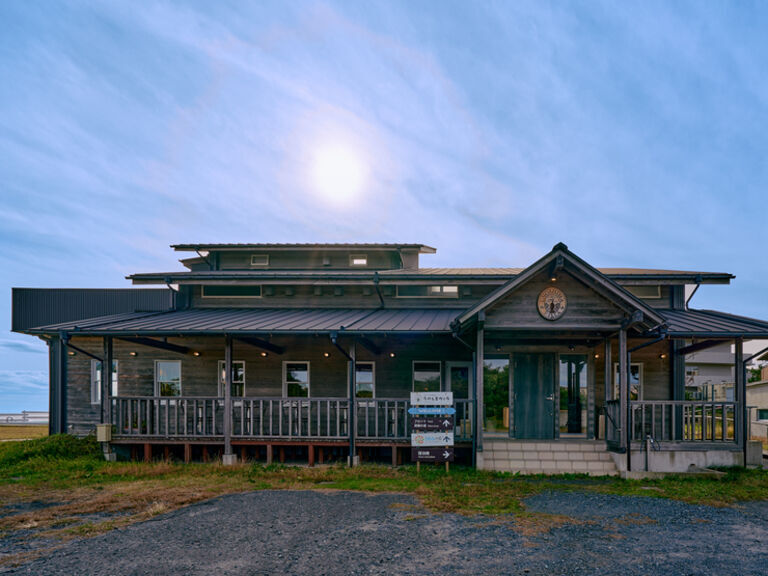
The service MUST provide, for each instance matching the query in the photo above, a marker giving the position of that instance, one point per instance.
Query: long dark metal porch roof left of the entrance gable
(233, 320)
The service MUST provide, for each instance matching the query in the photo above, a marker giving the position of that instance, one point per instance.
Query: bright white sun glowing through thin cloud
(338, 173)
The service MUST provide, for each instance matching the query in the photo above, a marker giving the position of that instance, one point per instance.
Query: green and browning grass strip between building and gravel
(62, 488)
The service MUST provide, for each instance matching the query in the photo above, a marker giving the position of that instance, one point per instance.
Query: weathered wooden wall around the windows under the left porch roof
(263, 375)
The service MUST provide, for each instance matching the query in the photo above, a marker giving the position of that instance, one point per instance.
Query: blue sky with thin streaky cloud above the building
(634, 132)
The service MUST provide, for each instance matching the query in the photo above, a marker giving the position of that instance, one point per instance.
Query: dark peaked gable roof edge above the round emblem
(599, 282)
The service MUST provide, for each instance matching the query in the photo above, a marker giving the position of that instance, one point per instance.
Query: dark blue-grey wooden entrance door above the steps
(534, 395)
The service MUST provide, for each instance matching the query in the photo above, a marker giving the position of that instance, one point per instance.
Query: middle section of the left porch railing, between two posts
(290, 418)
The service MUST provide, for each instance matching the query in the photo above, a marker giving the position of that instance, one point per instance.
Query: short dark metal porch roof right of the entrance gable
(710, 323)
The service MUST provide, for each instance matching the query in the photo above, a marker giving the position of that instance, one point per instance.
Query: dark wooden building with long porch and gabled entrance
(312, 350)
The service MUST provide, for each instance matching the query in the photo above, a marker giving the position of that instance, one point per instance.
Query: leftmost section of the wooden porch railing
(167, 417)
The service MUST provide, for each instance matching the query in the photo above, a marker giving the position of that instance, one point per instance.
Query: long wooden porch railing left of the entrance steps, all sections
(278, 418)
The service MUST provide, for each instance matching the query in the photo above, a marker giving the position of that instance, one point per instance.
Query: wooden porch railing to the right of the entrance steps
(683, 421)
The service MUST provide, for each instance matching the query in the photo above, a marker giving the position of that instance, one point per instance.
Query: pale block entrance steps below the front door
(547, 457)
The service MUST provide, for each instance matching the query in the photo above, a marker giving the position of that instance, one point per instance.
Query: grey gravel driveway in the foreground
(277, 532)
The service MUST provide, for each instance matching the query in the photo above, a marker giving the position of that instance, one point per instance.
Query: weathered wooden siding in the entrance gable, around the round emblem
(585, 307)
